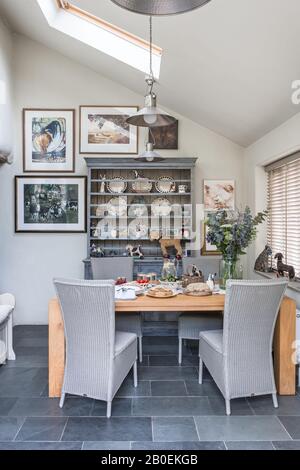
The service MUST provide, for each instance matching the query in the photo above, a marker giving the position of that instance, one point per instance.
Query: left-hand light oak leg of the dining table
(56, 349)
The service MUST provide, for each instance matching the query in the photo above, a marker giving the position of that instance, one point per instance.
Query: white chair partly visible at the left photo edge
(7, 305)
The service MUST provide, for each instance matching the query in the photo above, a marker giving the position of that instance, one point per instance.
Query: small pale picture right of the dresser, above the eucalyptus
(219, 194)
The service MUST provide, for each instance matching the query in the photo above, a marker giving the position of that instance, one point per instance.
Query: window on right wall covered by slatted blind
(284, 210)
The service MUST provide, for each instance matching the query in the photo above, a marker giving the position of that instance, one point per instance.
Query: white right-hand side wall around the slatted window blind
(282, 141)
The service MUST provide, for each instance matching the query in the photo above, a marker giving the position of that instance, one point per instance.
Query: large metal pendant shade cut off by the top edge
(160, 7)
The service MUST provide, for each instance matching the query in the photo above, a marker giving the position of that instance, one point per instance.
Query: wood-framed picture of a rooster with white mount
(49, 140)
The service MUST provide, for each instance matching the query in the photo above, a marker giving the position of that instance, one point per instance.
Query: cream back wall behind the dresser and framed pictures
(44, 78)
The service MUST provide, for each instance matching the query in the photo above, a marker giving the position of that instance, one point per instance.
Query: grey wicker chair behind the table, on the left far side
(112, 268)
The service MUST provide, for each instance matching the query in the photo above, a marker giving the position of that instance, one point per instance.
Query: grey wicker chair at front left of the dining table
(98, 358)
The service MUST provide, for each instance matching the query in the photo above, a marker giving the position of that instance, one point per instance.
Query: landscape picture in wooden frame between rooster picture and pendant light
(103, 129)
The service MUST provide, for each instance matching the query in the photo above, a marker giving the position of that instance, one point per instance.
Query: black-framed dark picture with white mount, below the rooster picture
(54, 204)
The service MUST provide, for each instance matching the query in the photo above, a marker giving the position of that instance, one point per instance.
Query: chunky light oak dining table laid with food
(284, 338)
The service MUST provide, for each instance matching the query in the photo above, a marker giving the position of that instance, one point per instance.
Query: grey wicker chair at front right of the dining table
(239, 358)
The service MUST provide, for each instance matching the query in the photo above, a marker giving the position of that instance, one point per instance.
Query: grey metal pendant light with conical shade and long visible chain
(150, 115)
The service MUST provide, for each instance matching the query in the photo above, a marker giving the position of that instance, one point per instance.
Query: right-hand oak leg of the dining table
(284, 338)
